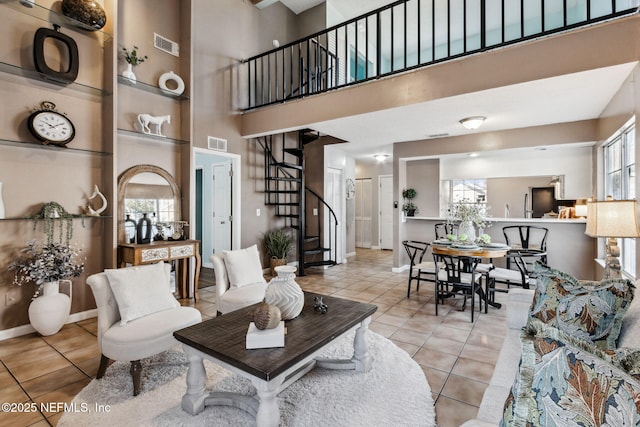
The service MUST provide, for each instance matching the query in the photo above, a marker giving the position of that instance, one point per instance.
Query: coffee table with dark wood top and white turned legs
(222, 341)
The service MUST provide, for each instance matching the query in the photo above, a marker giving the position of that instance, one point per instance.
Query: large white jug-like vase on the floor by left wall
(49, 312)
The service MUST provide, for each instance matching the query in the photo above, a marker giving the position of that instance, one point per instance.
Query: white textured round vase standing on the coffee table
(285, 293)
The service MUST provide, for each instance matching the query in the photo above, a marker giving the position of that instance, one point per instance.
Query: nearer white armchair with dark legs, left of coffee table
(137, 315)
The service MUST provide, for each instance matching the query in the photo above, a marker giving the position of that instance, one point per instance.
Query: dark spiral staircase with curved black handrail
(285, 190)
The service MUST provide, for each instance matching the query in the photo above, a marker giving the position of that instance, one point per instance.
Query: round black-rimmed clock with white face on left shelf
(49, 126)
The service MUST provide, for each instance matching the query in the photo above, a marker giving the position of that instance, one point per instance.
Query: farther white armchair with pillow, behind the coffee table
(239, 279)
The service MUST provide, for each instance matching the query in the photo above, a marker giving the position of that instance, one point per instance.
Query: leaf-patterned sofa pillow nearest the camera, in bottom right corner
(561, 384)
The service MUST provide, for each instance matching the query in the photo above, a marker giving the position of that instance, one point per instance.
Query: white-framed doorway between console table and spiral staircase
(216, 202)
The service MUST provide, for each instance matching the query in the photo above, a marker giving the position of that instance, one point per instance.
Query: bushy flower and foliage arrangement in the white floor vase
(46, 262)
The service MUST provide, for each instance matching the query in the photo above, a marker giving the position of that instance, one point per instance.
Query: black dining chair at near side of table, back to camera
(458, 275)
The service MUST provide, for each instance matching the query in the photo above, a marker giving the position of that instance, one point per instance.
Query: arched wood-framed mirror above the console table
(147, 191)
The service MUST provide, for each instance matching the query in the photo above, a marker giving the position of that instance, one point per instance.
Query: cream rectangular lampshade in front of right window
(612, 218)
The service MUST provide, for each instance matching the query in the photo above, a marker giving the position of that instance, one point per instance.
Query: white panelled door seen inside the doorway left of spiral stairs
(221, 207)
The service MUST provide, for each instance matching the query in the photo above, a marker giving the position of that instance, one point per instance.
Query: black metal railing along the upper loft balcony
(409, 34)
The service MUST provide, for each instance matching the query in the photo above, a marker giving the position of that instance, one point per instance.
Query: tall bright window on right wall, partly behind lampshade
(620, 176)
